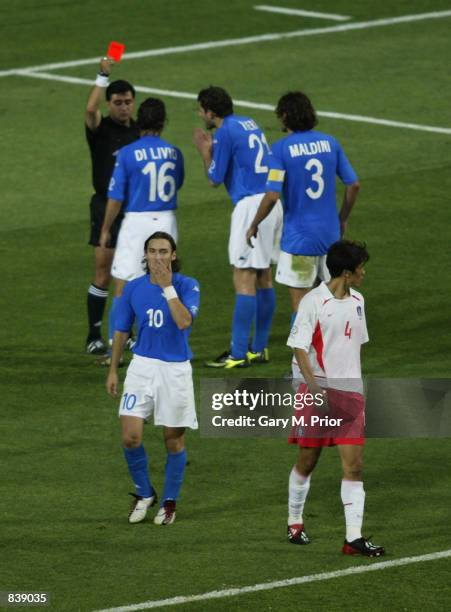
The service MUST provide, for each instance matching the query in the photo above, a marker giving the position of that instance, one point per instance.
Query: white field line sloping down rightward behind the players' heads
(244, 103)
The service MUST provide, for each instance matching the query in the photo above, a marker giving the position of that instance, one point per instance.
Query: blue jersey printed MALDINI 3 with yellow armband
(304, 166)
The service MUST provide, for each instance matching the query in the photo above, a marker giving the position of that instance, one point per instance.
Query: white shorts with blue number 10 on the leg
(162, 388)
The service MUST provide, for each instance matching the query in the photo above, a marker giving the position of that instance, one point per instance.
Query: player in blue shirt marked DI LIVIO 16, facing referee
(147, 175)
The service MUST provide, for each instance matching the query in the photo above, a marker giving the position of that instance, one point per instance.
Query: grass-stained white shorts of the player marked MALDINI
(300, 271)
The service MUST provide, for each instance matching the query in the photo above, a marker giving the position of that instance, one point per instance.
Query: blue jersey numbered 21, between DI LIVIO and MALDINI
(240, 157)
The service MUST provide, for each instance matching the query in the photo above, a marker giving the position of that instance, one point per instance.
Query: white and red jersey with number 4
(331, 331)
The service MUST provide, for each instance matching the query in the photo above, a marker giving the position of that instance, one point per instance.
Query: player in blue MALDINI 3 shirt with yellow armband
(303, 168)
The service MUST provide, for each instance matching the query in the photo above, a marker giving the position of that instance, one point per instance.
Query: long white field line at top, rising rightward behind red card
(362, 25)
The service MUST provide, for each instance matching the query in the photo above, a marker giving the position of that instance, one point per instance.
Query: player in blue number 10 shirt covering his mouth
(159, 378)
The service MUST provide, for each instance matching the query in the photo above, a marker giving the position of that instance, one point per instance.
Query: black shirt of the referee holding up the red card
(104, 144)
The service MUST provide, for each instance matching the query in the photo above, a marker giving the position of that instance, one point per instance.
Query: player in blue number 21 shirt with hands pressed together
(238, 156)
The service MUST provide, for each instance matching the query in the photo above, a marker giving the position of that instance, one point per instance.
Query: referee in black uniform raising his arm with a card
(105, 136)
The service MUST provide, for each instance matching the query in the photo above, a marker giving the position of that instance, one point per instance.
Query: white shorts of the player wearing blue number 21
(266, 245)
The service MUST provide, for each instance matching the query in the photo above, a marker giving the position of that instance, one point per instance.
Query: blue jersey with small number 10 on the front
(158, 336)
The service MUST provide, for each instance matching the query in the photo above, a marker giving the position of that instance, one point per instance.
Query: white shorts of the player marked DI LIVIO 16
(135, 229)
